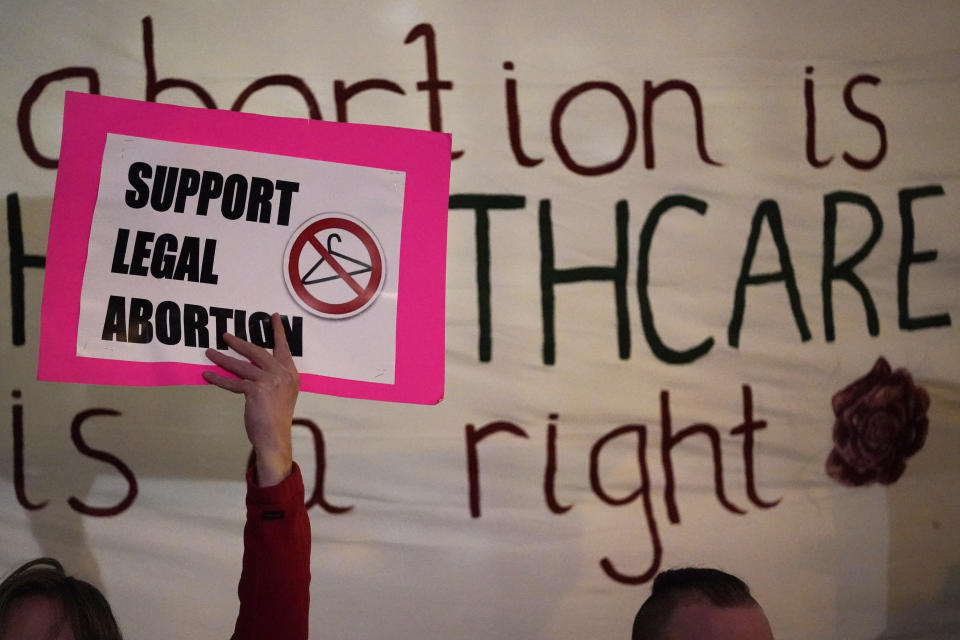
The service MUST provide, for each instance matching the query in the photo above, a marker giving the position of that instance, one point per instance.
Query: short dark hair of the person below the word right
(675, 586)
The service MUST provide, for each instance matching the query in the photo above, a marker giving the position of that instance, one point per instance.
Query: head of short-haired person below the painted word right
(705, 604)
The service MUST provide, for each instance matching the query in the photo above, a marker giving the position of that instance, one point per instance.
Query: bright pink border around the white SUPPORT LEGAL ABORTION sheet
(423, 155)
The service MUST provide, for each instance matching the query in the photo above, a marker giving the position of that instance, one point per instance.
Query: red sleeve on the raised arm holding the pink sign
(275, 582)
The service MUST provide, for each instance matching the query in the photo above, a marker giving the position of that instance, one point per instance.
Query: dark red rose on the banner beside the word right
(881, 420)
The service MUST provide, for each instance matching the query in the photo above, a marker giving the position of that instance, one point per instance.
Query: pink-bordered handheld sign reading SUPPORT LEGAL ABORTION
(173, 225)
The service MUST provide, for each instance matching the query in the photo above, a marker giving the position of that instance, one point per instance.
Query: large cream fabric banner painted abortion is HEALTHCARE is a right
(550, 366)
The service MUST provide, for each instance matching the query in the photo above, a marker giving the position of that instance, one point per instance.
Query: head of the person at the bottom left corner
(39, 601)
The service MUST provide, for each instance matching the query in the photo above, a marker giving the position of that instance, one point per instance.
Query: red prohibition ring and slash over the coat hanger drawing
(364, 294)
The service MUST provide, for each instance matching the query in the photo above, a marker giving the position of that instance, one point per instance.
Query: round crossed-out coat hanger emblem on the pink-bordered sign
(334, 266)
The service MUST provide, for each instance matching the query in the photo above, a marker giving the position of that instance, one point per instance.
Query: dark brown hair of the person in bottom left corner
(82, 605)
